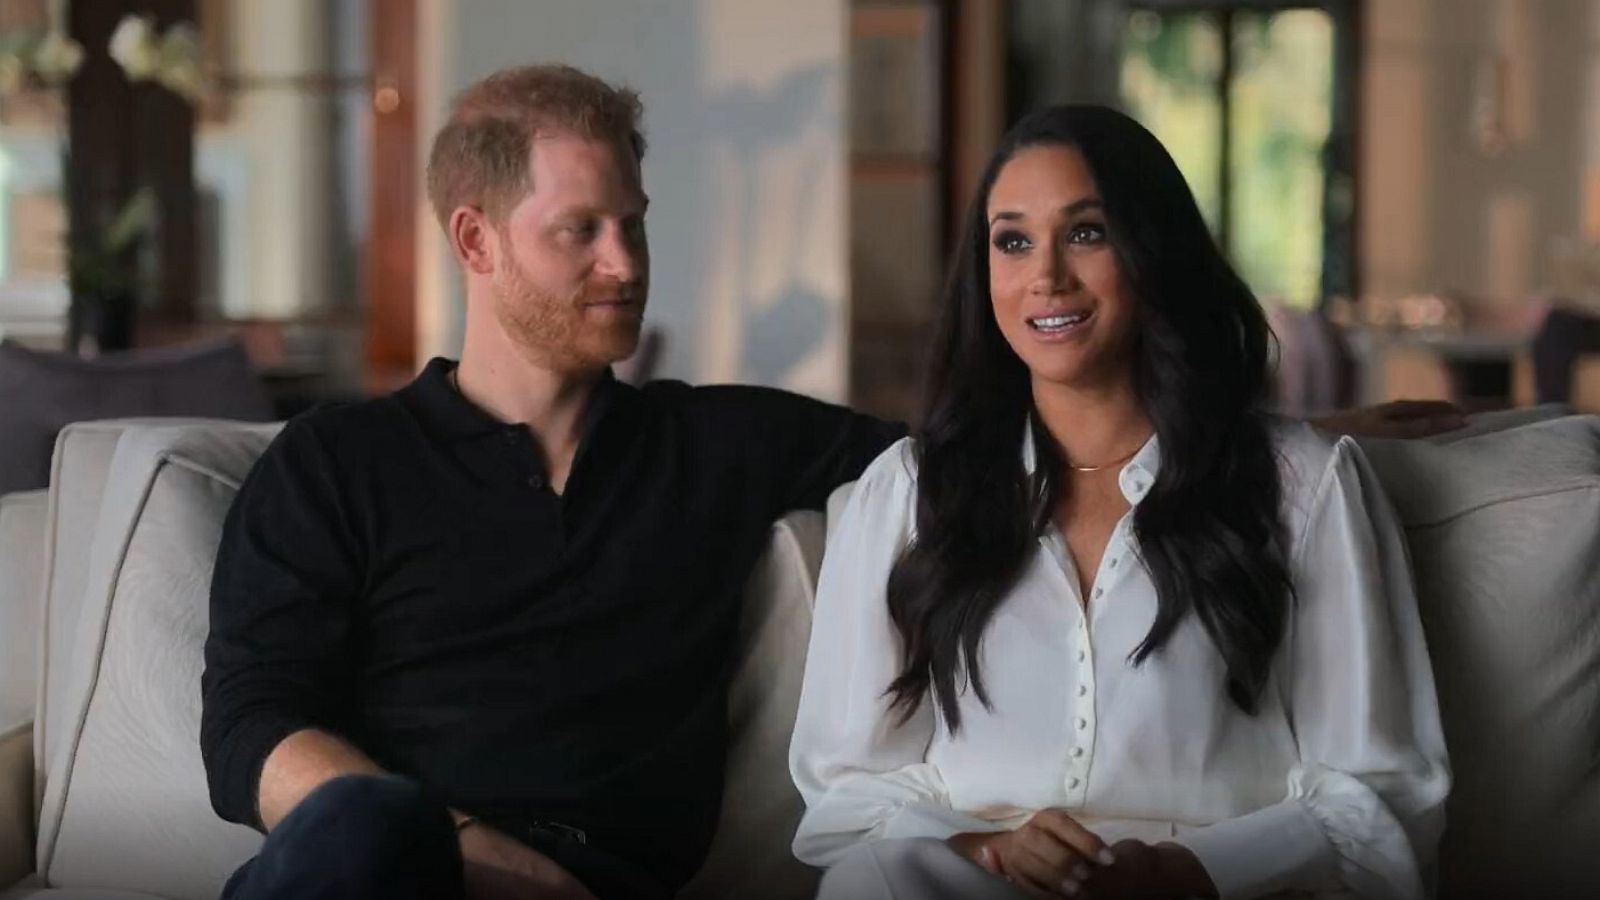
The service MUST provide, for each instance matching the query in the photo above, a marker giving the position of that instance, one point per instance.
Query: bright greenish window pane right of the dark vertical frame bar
(1282, 100)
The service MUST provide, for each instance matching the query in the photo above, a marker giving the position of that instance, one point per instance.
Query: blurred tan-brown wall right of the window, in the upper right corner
(1438, 211)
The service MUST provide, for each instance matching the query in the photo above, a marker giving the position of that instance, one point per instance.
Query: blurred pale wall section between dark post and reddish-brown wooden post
(289, 182)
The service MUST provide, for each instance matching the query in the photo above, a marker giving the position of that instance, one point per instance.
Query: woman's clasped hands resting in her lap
(1050, 856)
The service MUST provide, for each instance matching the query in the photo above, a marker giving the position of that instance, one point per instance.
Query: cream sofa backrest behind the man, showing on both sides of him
(126, 800)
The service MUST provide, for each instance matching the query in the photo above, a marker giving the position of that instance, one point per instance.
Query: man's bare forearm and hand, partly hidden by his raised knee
(495, 864)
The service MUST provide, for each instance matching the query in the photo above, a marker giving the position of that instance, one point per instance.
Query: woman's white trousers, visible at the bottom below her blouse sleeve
(918, 869)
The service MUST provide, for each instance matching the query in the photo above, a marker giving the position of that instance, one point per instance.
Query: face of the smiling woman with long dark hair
(1058, 292)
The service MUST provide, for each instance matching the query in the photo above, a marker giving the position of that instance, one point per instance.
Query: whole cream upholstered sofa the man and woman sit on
(103, 611)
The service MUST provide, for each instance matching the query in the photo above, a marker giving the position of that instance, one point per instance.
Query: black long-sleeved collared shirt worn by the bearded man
(401, 574)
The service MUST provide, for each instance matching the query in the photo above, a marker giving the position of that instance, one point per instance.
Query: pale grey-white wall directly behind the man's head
(746, 167)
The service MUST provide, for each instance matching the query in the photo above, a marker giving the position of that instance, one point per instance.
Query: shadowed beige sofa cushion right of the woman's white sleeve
(1505, 539)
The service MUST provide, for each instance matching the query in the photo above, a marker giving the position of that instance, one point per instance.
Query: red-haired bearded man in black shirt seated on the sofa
(514, 582)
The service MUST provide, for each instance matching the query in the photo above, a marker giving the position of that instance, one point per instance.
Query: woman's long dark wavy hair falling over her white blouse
(1209, 531)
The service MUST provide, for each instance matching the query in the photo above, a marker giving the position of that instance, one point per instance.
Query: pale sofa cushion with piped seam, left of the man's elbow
(126, 803)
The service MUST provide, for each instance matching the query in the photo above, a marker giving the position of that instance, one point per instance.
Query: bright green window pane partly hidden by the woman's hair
(1170, 73)
